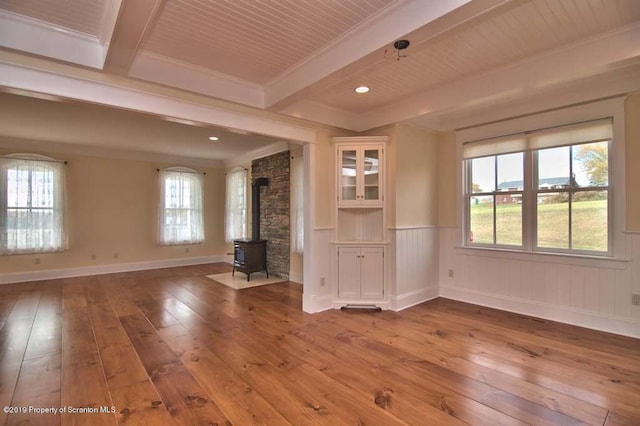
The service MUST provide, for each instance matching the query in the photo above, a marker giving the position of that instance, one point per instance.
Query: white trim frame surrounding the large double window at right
(609, 108)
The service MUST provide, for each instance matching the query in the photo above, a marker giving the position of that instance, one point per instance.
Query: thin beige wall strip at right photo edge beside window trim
(632, 166)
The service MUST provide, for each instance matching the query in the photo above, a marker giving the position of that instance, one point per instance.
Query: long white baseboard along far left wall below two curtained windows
(83, 271)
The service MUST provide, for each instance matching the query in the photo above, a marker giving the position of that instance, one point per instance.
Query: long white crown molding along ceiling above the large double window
(543, 73)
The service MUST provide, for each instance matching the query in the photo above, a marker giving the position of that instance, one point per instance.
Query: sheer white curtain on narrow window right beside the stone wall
(235, 212)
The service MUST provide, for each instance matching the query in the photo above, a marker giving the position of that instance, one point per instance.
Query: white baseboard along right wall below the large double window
(592, 320)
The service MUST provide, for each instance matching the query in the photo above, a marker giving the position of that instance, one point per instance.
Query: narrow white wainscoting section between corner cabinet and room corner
(414, 266)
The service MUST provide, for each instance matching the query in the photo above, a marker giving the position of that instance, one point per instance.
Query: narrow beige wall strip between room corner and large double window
(447, 180)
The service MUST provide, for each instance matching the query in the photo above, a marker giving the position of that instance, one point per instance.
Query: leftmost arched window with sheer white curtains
(31, 204)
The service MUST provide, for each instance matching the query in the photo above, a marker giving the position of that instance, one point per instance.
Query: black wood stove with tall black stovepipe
(251, 255)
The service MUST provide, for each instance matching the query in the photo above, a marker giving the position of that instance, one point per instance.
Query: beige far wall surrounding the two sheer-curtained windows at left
(112, 208)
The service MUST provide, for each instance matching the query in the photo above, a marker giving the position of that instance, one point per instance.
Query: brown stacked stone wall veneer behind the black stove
(274, 210)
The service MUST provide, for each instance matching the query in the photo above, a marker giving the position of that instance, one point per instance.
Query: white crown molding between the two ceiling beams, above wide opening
(162, 70)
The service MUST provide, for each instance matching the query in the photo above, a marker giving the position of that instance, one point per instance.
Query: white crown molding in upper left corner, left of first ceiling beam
(34, 36)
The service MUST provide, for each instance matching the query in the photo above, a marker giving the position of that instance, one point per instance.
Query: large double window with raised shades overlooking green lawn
(544, 190)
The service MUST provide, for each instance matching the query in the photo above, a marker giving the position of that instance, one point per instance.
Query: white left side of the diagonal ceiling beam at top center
(389, 25)
